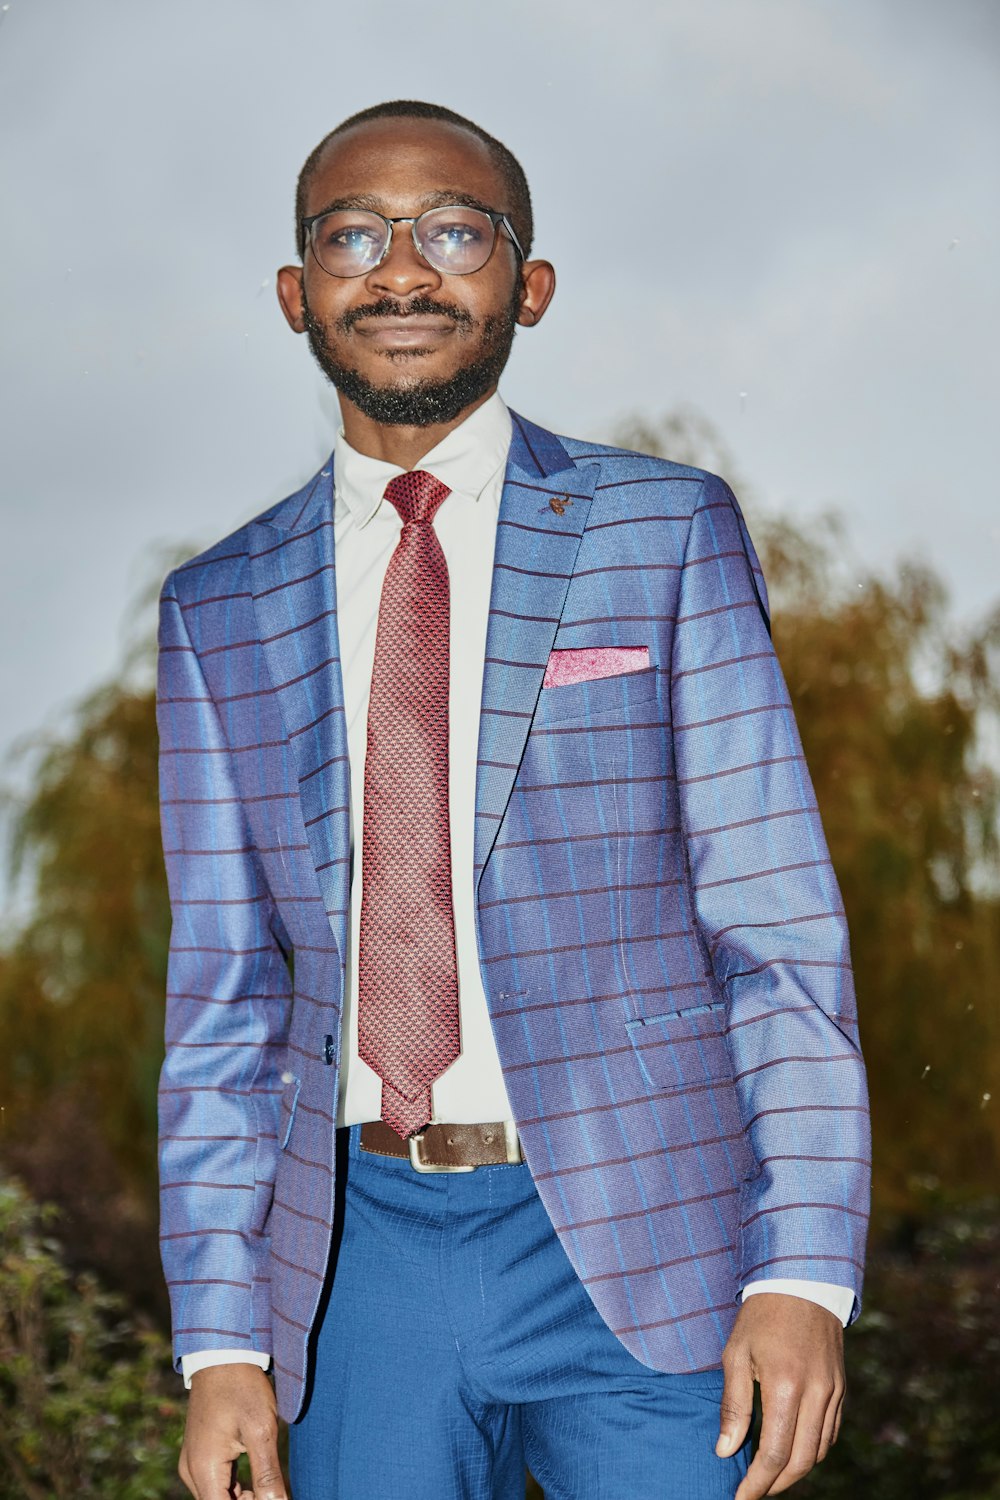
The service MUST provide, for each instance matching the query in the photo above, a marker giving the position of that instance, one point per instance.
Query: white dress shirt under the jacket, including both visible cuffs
(472, 461)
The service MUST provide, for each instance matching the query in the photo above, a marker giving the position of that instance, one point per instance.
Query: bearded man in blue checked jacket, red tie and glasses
(513, 1105)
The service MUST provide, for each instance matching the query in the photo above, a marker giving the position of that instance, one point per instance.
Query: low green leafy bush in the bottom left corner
(91, 1403)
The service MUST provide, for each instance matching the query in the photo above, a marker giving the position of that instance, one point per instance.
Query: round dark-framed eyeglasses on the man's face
(457, 241)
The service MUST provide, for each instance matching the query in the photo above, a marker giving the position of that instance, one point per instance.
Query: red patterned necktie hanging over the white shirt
(409, 983)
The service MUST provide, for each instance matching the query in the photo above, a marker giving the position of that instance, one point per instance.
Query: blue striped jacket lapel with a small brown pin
(543, 514)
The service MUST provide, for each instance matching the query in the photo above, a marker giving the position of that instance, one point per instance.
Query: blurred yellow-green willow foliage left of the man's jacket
(94, 953)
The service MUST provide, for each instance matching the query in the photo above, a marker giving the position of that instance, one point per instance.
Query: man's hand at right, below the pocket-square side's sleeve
(795, 1351)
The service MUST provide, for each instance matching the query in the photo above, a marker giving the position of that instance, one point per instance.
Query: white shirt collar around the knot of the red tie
(466, 461)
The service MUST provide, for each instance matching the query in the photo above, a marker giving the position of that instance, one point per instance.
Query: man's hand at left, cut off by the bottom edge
(232, 1412)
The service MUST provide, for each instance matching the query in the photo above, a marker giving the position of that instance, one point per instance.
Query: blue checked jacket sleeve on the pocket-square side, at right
(770, 914)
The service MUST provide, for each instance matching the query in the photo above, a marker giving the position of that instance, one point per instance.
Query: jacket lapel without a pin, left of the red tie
(296, 605)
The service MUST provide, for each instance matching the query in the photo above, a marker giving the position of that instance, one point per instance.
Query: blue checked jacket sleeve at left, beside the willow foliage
(229, 1000)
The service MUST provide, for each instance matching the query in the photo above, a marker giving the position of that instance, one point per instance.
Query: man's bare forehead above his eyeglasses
(404, 163)
